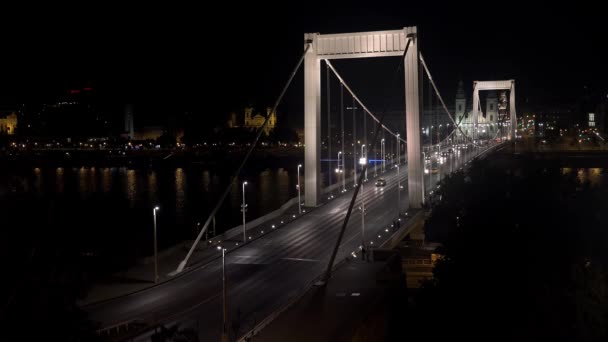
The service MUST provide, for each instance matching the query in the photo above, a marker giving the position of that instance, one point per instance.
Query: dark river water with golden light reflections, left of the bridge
(106, 212)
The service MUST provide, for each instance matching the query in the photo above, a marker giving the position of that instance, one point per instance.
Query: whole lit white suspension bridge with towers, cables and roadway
(279, 261)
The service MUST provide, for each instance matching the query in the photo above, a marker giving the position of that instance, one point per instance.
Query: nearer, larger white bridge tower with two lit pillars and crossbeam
(360, 45)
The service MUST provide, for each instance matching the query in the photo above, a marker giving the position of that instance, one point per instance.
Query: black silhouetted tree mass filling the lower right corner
(526, 260)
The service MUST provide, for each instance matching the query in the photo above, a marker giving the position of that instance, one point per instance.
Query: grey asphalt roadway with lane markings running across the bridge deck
(271, 269)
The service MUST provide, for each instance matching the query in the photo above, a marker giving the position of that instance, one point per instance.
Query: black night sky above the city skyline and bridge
(172, 58)
